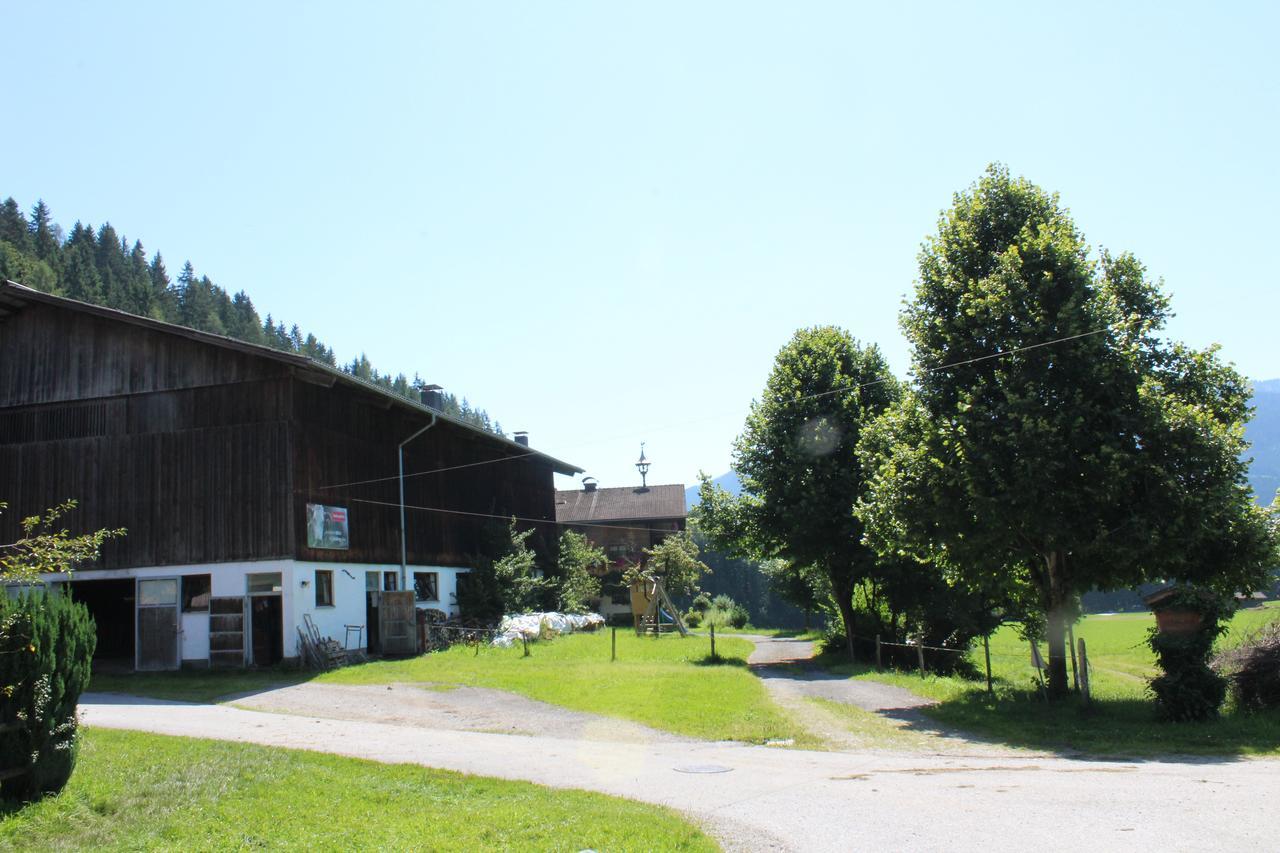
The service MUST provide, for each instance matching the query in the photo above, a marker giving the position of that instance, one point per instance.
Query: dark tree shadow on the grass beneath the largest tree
(1104, 729)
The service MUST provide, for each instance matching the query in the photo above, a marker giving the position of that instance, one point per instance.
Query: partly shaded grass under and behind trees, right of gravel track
(1121, 720)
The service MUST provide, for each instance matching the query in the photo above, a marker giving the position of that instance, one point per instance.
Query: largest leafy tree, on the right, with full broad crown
(1053, 439)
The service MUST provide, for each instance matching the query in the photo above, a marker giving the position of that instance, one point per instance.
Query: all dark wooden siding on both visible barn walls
(208, 454)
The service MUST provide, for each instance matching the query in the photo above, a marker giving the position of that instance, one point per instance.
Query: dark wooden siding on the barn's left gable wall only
(194, 460)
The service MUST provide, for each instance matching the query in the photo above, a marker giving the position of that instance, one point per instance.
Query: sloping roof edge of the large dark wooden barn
(15, 298)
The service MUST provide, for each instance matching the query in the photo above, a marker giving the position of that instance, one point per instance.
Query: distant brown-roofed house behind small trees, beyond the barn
(624, 522)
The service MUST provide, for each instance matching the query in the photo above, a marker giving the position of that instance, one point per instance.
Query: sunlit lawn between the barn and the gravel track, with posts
(668, 683)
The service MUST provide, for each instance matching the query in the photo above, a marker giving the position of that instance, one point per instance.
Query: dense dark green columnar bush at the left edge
(47, 646)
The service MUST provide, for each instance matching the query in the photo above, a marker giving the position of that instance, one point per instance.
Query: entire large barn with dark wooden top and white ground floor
(258, 487)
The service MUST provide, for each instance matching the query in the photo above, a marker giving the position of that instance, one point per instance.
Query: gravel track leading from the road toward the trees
(879, 717)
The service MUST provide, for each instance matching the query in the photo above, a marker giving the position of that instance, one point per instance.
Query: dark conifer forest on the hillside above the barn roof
(102, 267)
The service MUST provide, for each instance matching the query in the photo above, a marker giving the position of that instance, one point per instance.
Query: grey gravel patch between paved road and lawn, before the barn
(446, 708)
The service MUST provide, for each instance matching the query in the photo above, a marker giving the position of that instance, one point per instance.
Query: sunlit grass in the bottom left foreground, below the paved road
(141, 792)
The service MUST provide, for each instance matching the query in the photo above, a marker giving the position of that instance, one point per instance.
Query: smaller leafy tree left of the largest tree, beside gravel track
(799, 467)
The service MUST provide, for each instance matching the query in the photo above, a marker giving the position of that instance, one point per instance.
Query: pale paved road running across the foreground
(772, 799)
